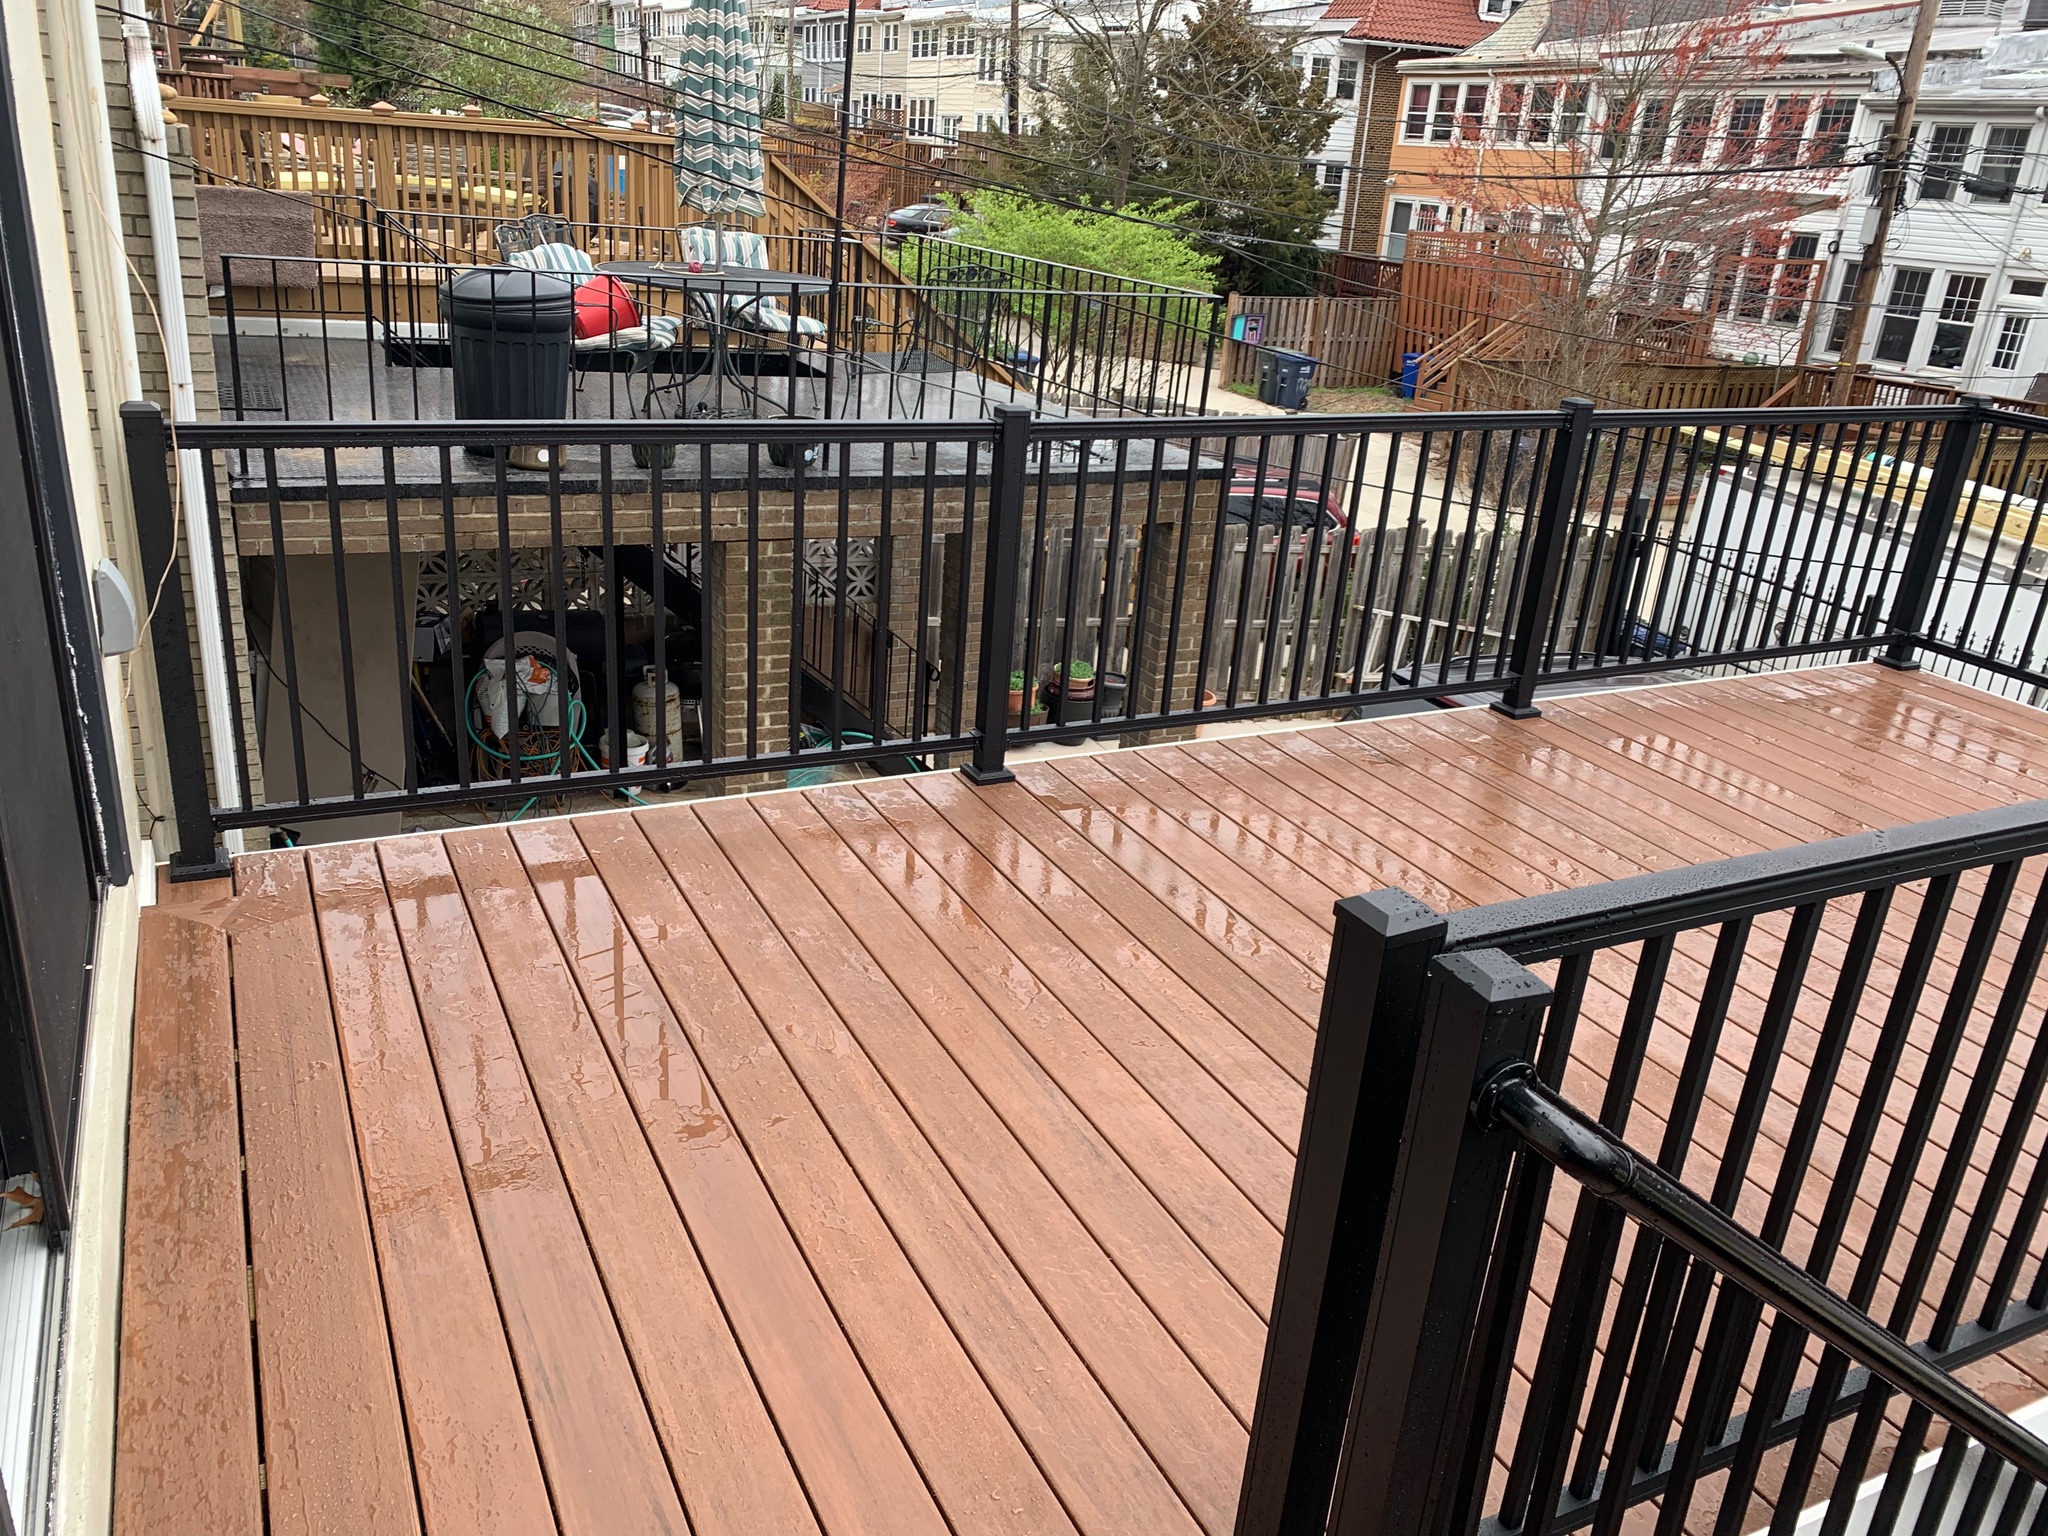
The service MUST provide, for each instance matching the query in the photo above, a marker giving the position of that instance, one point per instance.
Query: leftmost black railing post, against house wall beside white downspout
(157, 538)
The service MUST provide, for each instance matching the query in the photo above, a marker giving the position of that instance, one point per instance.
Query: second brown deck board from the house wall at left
(335, 1439)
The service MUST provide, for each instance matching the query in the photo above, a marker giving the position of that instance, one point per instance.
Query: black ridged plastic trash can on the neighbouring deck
(513, 343)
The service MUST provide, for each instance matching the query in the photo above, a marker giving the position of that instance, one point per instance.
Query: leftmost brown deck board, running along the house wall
(185, 1418)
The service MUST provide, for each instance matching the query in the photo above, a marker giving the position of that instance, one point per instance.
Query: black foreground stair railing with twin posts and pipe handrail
(1840, 1043)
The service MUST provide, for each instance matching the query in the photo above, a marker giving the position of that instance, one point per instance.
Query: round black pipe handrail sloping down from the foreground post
(1619, 1175)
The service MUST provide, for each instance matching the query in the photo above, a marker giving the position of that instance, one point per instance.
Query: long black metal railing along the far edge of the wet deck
(1015, 581)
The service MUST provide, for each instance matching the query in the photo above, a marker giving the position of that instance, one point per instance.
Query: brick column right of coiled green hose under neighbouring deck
(742, 630)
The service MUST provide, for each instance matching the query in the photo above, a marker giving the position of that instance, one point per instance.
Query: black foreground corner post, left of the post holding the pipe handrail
(1345, 1183)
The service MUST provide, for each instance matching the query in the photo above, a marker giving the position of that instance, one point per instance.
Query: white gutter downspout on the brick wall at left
(148, 103)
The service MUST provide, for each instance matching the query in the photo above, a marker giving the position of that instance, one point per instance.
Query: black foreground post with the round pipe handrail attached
(1408, 1449)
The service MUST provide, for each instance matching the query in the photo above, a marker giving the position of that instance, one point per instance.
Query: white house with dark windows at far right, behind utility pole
(1963, 298)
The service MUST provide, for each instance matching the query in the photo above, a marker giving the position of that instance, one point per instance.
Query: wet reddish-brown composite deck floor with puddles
(888, 1158)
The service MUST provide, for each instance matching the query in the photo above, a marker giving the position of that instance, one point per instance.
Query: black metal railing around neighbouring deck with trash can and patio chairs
(364, 339)
